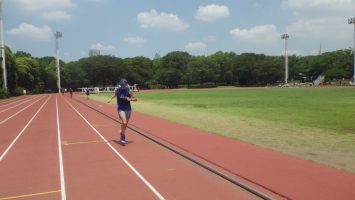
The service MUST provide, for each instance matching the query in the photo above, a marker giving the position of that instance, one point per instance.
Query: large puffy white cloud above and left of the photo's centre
(153, 19)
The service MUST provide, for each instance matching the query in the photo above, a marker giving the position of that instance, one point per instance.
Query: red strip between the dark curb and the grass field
(283, 175)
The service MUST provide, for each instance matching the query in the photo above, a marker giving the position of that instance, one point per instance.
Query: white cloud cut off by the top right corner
(322, 5)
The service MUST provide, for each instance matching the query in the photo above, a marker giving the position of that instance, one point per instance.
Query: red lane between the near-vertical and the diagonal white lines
(92, 170)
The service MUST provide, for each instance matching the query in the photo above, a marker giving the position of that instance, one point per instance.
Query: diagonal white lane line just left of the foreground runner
(150, 186)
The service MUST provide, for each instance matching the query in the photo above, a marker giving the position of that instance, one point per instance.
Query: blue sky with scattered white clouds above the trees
(129, 28)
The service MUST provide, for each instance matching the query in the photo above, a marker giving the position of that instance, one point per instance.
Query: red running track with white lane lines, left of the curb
(31, 157)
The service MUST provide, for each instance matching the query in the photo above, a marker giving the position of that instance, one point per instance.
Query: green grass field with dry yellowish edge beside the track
(312, 123)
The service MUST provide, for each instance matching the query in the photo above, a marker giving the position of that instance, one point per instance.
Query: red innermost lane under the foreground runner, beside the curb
(174, 176)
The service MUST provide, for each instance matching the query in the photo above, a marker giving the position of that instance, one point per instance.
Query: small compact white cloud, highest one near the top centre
(212, 12)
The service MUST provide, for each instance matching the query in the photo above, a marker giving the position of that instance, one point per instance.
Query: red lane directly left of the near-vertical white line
(30, 169)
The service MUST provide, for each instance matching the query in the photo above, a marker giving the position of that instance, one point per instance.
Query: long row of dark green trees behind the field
(175, 69)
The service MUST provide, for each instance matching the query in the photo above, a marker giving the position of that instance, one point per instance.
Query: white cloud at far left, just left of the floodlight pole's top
(31, 31)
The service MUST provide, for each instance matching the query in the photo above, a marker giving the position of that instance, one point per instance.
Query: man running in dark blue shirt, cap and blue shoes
(124, 97)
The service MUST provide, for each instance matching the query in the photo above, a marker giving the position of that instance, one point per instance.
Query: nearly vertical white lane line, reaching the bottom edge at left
(61, 168)
